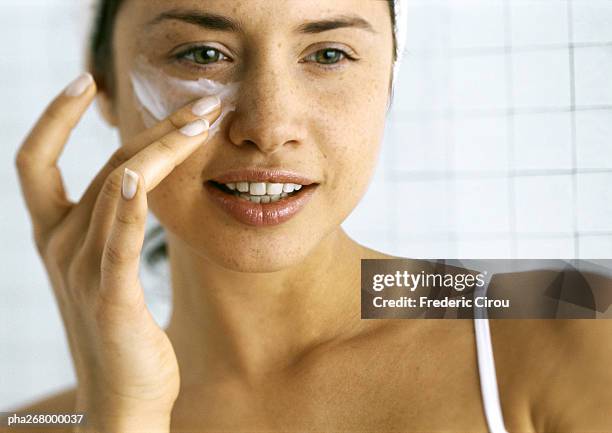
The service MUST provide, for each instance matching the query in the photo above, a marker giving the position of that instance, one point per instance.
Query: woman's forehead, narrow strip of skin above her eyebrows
(260, 16)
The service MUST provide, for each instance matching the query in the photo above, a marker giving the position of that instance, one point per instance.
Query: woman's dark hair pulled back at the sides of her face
(102, 65)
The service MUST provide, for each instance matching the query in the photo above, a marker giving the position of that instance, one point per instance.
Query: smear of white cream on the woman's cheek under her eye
(158, 95)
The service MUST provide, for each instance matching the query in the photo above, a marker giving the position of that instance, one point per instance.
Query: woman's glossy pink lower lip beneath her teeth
(261, 214)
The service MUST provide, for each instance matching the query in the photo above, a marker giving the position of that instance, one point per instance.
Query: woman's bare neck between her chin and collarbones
(228, 324)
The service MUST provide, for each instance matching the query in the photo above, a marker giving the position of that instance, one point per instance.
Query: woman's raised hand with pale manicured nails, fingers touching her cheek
(128, 377)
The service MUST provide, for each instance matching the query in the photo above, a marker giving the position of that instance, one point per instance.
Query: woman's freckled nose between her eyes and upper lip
(267, 112)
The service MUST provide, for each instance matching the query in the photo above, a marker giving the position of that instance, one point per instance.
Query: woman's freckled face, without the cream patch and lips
(312, 100)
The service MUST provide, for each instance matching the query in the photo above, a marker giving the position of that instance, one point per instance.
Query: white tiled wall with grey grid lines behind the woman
(441, 189)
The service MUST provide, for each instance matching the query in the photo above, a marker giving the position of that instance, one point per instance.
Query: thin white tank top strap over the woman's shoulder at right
(486, 368)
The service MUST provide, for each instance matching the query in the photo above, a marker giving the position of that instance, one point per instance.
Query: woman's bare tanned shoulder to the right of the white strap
(558, 367)
